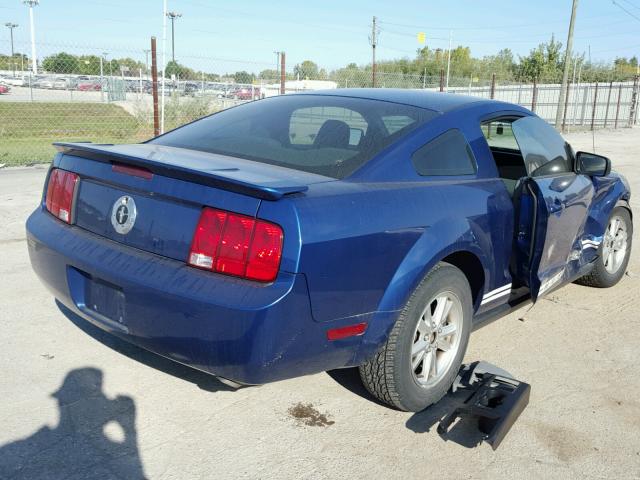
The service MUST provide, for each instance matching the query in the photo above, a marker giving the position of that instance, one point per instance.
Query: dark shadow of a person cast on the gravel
(95, 437)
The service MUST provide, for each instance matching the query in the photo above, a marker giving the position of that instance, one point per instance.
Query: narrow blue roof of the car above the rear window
(418, 98)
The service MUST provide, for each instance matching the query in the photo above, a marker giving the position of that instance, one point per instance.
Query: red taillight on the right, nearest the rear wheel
(237, 245)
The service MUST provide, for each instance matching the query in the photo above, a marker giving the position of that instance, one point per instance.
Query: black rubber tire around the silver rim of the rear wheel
(389, 375)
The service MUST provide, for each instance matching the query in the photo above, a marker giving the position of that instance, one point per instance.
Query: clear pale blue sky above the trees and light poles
(227, 36)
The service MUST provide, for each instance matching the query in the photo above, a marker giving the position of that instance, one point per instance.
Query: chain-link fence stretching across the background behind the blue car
(101, 95)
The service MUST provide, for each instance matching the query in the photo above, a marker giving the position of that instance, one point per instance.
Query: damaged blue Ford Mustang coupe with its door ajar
(308, 232)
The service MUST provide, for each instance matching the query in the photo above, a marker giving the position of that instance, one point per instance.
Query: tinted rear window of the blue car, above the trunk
(323, 134)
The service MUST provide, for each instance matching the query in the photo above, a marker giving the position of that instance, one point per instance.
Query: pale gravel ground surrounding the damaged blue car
(77, 404)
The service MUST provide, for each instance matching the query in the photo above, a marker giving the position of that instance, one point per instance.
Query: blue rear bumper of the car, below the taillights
(236, 329)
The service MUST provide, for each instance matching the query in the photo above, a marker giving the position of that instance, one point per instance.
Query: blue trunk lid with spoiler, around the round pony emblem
(169, 187)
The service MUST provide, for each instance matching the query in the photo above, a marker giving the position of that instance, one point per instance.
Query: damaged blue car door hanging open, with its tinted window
(553, 204)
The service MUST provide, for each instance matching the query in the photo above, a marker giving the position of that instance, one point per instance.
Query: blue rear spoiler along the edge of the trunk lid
(217, 179)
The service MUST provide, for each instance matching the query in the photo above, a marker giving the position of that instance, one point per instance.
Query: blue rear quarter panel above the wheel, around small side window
(369, 240)
